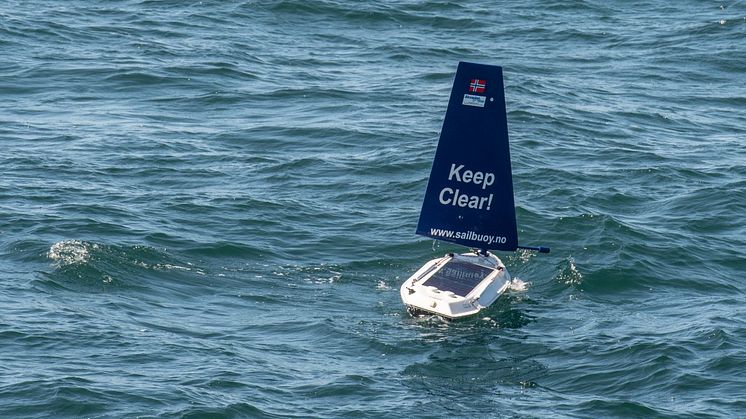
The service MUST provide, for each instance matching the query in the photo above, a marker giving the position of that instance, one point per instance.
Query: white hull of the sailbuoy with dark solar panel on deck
(473, 283)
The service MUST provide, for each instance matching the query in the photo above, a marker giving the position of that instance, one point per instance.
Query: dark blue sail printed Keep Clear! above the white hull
(469, 197)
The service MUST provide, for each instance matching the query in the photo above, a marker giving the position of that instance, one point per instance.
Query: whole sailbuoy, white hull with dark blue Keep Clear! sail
(468, 201)
